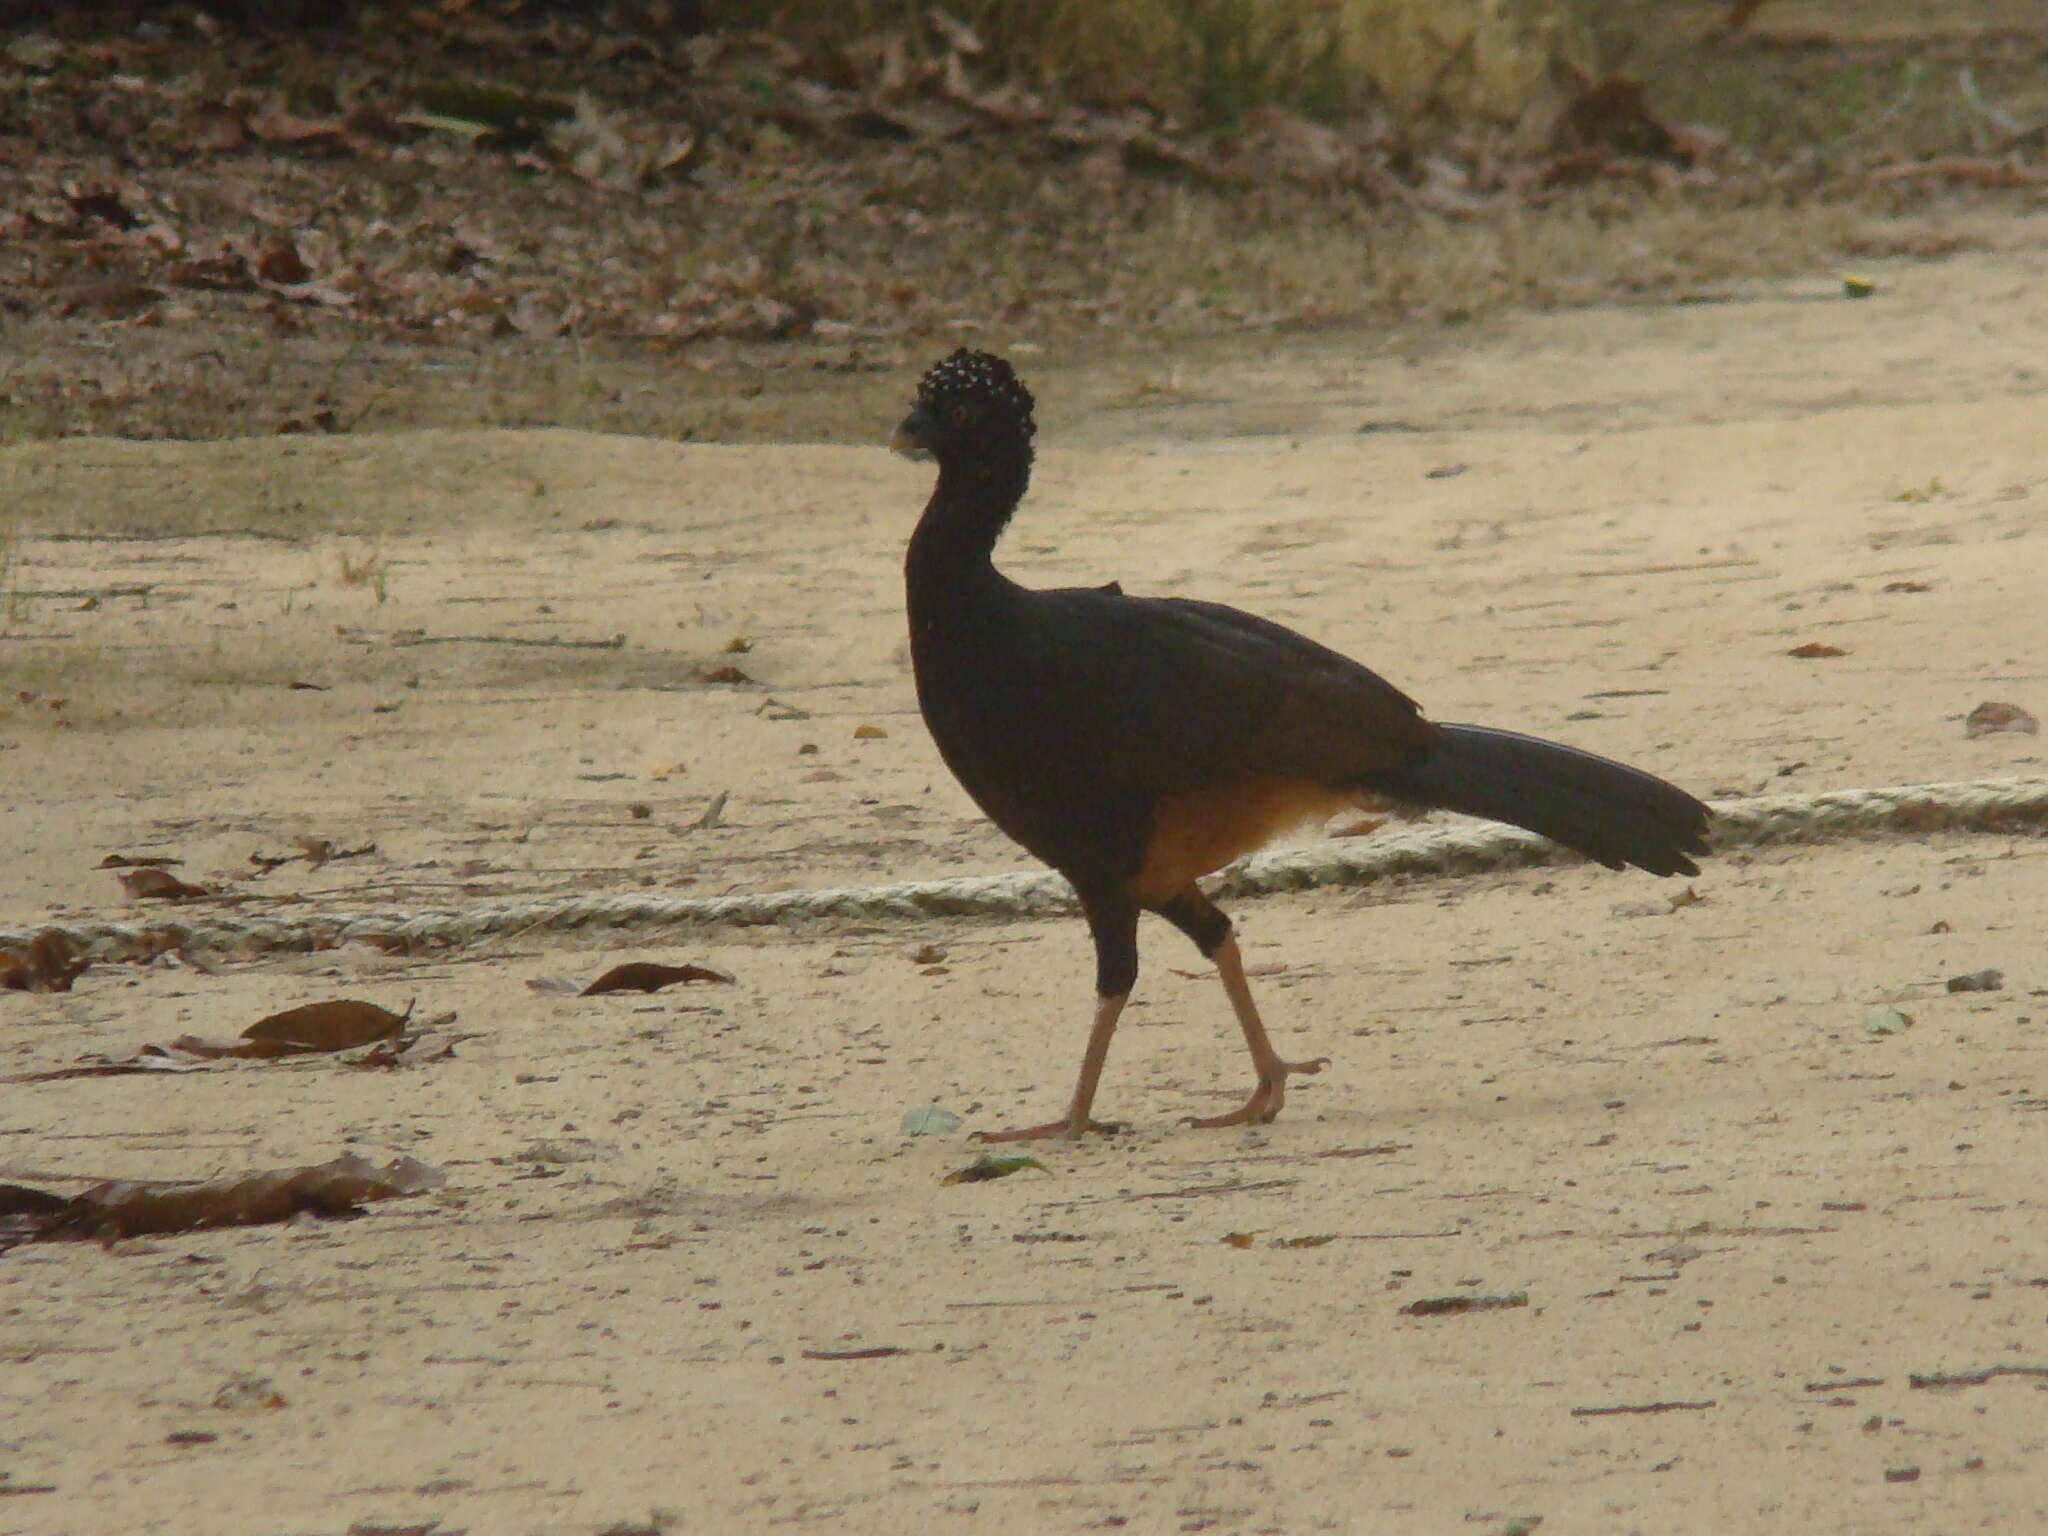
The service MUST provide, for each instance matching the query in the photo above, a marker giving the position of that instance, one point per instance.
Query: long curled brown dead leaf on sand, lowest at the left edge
(132, 1209)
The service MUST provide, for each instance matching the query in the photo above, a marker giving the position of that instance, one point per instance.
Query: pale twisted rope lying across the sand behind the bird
(1996, 806)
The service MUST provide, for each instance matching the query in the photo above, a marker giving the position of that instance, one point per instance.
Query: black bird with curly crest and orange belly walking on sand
(1138, 744)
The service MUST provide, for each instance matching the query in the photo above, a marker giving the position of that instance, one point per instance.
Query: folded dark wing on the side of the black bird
(1166, 693)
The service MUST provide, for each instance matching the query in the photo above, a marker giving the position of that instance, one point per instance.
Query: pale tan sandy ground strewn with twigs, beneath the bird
(1672, 1132)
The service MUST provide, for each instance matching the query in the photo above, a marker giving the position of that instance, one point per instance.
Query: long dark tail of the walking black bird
(1605, 810)
